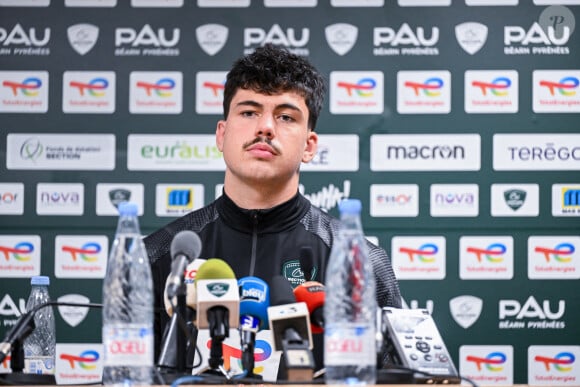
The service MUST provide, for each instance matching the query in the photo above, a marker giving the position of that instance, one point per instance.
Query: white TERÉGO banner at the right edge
(536, 152)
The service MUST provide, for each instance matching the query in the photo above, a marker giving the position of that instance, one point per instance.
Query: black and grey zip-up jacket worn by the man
(261, 243)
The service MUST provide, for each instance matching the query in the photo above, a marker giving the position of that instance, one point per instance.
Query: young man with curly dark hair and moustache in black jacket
(272, 100)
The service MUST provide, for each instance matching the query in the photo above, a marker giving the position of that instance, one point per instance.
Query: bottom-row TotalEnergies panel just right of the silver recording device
(490, 365)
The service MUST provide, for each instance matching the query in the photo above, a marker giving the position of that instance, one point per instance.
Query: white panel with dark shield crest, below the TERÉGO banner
(515, 199)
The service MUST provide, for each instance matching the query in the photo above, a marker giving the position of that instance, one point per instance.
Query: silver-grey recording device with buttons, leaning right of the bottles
(414, 342)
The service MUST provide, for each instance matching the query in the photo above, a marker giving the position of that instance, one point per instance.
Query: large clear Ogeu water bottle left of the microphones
(128, 306)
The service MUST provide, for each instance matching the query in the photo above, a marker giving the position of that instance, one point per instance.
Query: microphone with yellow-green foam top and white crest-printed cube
(218, 306)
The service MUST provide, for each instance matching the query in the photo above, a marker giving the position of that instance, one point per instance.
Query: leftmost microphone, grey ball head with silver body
(185, 247)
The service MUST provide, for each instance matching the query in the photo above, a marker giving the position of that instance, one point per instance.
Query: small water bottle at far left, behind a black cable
(39, 346)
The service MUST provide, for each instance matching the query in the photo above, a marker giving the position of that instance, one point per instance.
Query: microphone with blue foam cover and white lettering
(254, 302)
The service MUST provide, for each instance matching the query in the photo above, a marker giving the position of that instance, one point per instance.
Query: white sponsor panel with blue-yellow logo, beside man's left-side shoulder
(178, 199)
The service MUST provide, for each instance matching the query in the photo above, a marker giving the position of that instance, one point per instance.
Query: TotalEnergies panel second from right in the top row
(491, 91)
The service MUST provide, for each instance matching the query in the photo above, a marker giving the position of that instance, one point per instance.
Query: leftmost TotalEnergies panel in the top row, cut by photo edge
(23, 91)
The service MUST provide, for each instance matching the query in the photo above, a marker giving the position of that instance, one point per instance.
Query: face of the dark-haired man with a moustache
(266, 137)
